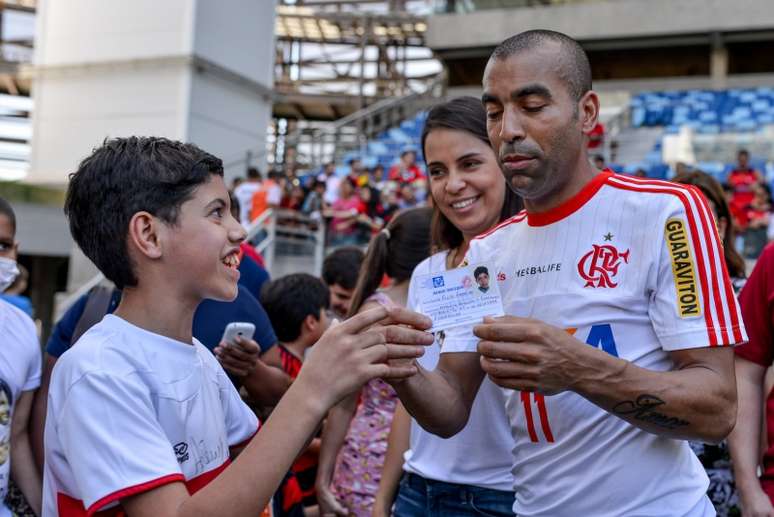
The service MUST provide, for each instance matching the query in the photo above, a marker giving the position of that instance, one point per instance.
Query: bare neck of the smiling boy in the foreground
(149, 310)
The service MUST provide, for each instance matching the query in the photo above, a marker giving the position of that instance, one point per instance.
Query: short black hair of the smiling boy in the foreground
(125, 176)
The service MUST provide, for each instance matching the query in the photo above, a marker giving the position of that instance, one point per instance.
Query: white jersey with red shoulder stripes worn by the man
(635, 268)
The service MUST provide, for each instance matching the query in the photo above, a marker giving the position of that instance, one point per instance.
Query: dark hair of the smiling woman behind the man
(461, 114)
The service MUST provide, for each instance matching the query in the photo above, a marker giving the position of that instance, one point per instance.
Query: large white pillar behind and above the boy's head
(192, 70)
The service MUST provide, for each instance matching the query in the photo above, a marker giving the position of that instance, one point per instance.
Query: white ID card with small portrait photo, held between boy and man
(461, 296)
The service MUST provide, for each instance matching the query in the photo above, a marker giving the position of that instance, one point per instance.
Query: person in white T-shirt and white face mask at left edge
(20, 364)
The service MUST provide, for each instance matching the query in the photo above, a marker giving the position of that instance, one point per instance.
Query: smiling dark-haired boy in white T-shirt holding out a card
(141, 418)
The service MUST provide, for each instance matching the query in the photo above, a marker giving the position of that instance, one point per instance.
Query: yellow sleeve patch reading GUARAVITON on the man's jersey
(683, 268)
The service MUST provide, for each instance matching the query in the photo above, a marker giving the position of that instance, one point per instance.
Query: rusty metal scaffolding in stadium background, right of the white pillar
(337, 58)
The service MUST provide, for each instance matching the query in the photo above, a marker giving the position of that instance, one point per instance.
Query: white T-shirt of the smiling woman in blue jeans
(480, 454)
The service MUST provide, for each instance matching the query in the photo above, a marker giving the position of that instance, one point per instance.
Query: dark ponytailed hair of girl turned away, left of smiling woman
(394, 251)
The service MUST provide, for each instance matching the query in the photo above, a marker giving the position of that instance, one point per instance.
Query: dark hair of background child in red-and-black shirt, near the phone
(290, 299)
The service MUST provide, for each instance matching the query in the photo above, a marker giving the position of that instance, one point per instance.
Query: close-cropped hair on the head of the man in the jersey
(572, 66)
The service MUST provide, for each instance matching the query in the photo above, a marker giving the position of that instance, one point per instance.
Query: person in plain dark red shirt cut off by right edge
(752, 360)
